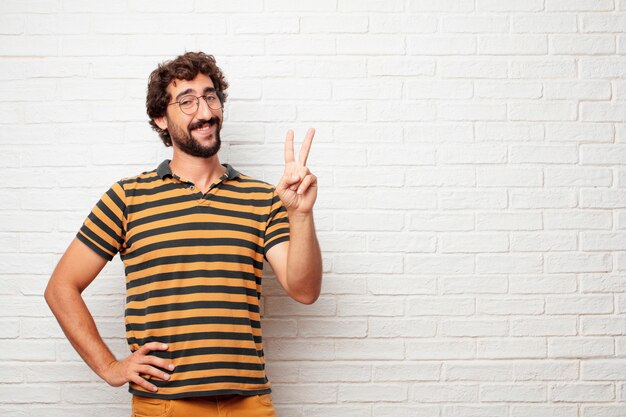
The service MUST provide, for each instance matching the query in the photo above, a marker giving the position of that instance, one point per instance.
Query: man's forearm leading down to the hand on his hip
(78, 325)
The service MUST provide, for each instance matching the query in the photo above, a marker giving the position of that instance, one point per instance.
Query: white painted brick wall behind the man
(472, 207)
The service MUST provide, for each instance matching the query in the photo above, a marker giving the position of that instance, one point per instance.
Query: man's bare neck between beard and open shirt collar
(201, 171)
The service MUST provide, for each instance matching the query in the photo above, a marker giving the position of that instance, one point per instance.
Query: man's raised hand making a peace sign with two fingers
(298, 186)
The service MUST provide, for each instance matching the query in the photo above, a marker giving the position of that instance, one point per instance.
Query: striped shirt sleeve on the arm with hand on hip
(103, 230)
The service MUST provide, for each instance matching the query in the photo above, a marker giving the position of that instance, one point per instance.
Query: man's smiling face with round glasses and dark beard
(196, 134)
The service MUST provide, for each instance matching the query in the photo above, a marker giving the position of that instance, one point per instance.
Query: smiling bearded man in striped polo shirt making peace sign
(192, 234)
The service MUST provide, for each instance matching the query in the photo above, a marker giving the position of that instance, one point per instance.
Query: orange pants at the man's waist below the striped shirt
(235, 406)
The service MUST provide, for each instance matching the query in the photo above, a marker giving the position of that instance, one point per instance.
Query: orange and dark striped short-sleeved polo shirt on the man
(193, 266)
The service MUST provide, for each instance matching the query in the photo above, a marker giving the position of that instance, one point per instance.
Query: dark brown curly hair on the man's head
(183, 67)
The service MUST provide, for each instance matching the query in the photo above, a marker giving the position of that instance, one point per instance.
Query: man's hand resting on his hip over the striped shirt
(136, 364)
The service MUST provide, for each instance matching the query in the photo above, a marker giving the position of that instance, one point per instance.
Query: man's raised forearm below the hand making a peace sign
(304, 259)
